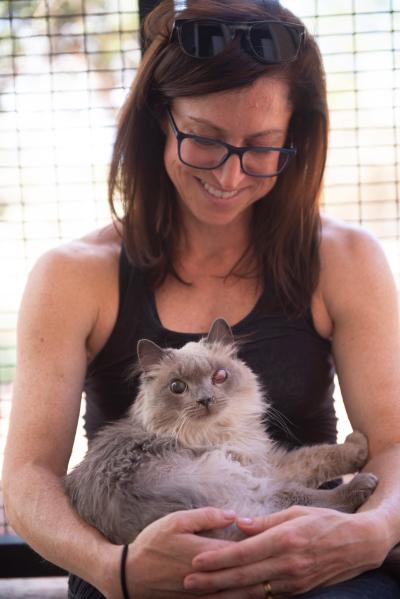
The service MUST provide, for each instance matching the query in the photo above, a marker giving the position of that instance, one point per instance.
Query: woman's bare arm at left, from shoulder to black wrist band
(56, 318)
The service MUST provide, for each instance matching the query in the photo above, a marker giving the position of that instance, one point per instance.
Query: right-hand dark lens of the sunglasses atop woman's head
(274, 42)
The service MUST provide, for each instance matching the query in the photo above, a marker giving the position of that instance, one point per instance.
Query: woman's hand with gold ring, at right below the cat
(294, 550)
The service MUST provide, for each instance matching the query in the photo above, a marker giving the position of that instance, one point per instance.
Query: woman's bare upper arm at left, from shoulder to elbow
(70, 293)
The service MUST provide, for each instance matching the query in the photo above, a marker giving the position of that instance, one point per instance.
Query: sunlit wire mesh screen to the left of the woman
(65, 66)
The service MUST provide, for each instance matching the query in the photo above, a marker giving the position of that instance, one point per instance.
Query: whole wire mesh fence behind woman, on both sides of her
(65, 68)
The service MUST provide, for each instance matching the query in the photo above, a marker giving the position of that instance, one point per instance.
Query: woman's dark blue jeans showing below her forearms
(370, 585)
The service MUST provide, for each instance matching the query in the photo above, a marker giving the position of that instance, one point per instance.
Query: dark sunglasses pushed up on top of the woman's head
(269, 42)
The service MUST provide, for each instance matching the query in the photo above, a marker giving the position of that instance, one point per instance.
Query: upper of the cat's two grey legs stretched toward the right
(316, 464)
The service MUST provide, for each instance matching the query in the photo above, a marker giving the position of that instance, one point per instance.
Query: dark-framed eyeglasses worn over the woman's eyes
(208, 154)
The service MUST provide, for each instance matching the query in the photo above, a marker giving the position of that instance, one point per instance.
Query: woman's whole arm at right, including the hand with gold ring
(301, 548)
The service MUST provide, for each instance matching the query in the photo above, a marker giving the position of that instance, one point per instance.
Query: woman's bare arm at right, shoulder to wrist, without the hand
(366, 345)
